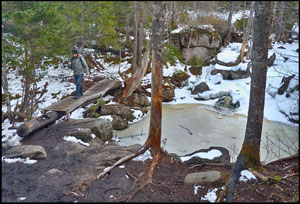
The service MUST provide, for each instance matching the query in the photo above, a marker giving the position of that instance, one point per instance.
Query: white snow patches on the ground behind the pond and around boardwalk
(238, 89)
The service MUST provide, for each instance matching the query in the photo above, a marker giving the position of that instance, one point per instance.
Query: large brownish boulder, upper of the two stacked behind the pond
(199, 37)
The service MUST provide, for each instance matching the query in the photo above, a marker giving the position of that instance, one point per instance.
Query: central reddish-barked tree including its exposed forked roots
(154, 137)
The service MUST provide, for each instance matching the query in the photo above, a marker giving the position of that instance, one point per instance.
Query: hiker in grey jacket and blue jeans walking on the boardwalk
(79, 67)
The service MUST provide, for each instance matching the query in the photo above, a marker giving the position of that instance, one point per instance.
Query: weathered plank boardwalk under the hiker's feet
(69, 104)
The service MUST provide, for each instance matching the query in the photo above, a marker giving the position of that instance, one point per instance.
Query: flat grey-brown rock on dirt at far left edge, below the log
(24, 151)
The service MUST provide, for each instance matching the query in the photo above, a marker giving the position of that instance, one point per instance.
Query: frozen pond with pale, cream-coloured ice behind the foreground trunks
(190, 127)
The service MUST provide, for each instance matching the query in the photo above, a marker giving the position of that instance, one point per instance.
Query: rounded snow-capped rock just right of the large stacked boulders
(222, 58)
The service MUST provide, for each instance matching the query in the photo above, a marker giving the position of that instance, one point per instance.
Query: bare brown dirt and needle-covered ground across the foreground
(25, 182)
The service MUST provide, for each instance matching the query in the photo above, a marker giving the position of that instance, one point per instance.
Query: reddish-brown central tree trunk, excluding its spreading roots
(158, 34)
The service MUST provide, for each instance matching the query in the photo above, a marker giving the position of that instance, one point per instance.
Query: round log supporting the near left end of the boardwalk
(38, 123)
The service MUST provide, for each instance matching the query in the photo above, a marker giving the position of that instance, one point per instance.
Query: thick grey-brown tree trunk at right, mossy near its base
(249, 156)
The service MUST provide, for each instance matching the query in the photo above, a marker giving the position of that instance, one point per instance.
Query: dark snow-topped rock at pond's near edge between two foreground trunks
(224, 158)
